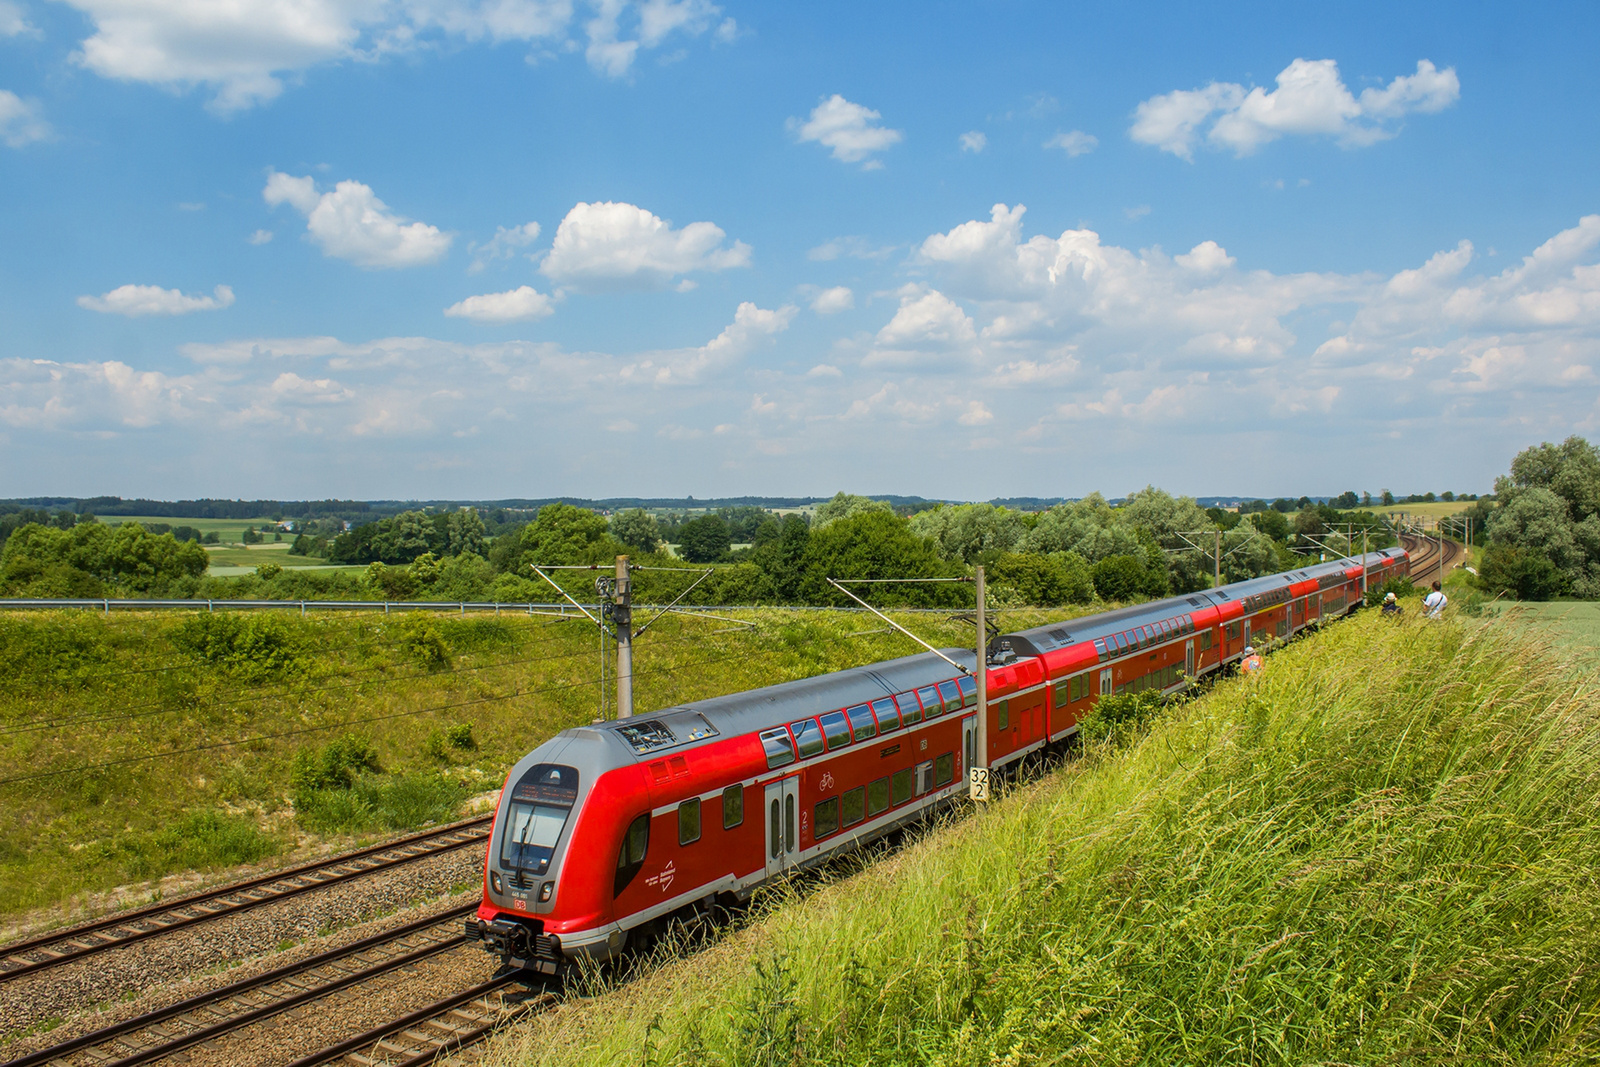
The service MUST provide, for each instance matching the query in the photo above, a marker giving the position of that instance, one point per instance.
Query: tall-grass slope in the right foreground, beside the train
(1385, 850)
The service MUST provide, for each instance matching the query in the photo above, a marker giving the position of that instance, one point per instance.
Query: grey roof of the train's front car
(777, 705)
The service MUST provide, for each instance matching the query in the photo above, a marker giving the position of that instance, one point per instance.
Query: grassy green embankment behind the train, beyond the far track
(78, 689)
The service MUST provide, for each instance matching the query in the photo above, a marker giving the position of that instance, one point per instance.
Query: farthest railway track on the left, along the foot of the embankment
(66, 946)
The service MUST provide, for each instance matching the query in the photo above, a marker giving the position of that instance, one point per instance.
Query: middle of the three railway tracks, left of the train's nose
(215, 1002)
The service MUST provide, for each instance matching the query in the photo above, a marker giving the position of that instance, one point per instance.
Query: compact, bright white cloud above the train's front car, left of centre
(622, 247)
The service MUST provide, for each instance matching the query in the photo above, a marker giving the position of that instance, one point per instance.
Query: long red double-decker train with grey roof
(606, 831)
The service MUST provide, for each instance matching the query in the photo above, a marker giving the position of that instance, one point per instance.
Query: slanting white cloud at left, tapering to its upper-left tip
(351, 223)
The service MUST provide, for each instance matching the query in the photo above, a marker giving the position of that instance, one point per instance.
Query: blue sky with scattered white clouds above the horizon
(458, 249)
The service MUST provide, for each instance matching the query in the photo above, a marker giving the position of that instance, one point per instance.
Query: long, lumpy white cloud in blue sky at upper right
(1311, 100)
